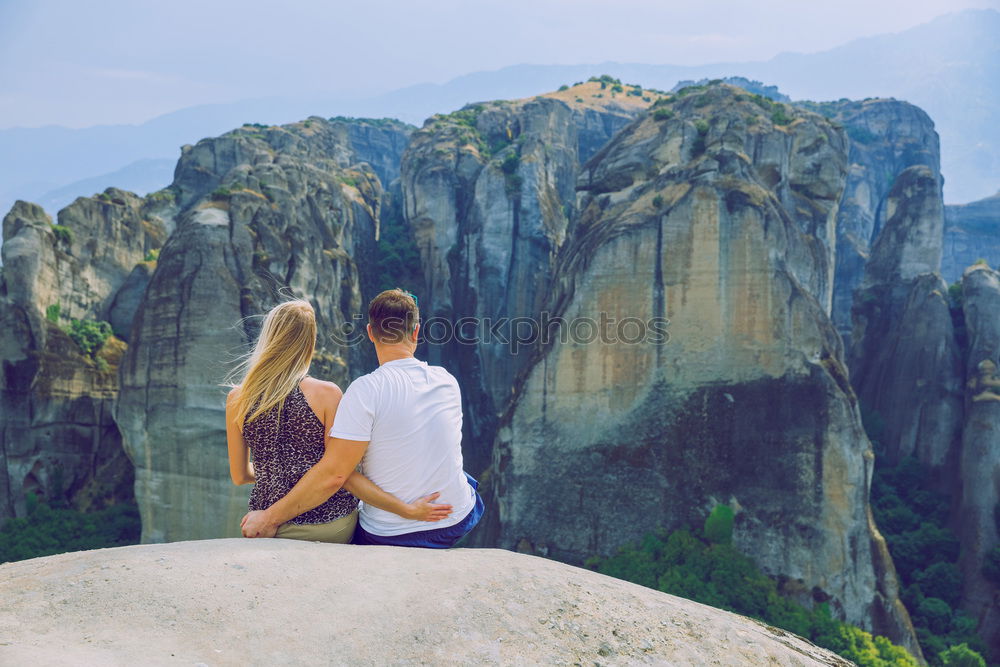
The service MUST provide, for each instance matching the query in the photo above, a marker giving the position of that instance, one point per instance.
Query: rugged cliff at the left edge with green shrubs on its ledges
(56, 429)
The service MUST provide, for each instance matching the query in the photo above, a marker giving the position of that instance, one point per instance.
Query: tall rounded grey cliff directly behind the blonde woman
(262, 213)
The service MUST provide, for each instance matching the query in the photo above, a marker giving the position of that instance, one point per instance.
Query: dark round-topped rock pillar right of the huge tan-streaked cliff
(906, 364)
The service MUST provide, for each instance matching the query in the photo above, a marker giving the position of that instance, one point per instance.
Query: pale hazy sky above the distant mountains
(78, 63)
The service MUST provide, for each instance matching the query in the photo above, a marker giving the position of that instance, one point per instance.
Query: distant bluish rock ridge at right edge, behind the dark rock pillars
(971, 233)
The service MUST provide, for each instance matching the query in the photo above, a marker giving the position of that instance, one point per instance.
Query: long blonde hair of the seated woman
(278, 362)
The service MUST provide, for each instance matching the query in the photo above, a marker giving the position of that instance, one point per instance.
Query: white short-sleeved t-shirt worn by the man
(411, 415)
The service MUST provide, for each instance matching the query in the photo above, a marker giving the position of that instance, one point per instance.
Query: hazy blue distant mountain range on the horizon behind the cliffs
(950, 67)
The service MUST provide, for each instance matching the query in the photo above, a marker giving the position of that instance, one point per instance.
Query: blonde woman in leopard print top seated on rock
(281, 416)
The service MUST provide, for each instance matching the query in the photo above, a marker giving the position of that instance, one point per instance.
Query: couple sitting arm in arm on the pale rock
(401, 422)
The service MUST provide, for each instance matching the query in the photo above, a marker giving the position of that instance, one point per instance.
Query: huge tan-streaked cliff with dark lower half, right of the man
(720, 221)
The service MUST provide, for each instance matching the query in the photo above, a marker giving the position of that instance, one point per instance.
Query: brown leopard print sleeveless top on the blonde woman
(283, 450)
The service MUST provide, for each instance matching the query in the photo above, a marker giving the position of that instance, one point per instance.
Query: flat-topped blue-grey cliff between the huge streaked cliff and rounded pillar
(886, 137)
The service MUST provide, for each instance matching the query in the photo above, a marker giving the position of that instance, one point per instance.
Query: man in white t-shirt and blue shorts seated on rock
(403, 423)
